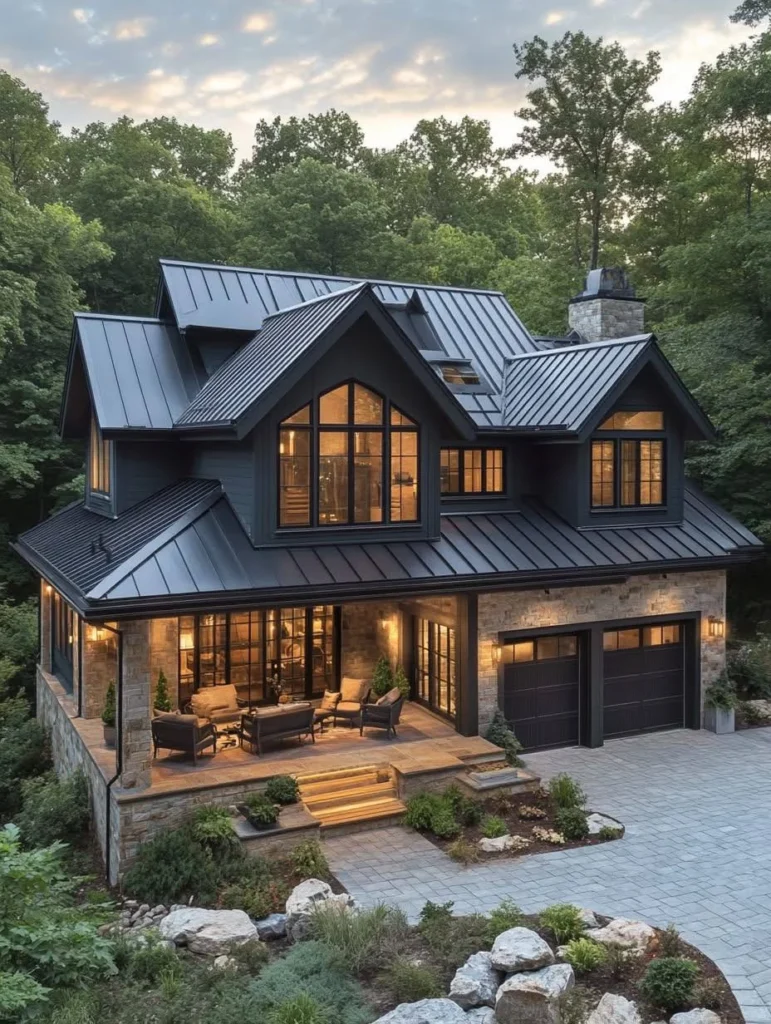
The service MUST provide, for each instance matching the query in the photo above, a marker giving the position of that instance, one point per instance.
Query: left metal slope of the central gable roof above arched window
(252, 371)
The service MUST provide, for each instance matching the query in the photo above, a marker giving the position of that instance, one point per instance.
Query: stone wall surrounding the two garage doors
(640, 598)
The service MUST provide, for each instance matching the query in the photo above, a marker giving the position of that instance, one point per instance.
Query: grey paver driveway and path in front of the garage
(698, 851)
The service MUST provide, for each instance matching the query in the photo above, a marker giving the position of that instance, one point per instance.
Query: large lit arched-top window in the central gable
(350, 458)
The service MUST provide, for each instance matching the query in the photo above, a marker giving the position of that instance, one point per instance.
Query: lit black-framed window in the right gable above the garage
(629, 473)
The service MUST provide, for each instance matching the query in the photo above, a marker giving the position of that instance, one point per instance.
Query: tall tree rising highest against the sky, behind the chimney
(584, 116)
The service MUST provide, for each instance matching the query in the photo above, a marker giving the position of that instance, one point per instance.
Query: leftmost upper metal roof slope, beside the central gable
(140, 371)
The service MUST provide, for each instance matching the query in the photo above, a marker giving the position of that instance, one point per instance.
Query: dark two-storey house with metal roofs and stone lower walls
(289, 477)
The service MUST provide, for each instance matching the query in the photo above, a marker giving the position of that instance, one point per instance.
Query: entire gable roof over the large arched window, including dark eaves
(262, 373)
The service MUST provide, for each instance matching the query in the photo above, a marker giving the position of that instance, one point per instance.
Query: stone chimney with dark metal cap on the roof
(608, 308)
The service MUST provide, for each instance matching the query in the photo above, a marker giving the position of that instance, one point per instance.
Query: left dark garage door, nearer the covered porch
(541, 692)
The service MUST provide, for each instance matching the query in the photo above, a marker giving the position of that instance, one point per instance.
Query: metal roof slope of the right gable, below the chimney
(561, 389)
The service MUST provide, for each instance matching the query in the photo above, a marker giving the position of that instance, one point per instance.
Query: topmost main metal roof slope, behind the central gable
(468, 324)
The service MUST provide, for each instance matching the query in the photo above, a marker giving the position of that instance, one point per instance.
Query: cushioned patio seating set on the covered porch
(217, 714)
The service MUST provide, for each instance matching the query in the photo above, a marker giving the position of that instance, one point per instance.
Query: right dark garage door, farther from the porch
(645, 679)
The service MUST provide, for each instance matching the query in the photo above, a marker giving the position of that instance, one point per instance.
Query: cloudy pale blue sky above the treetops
(389, 63)
